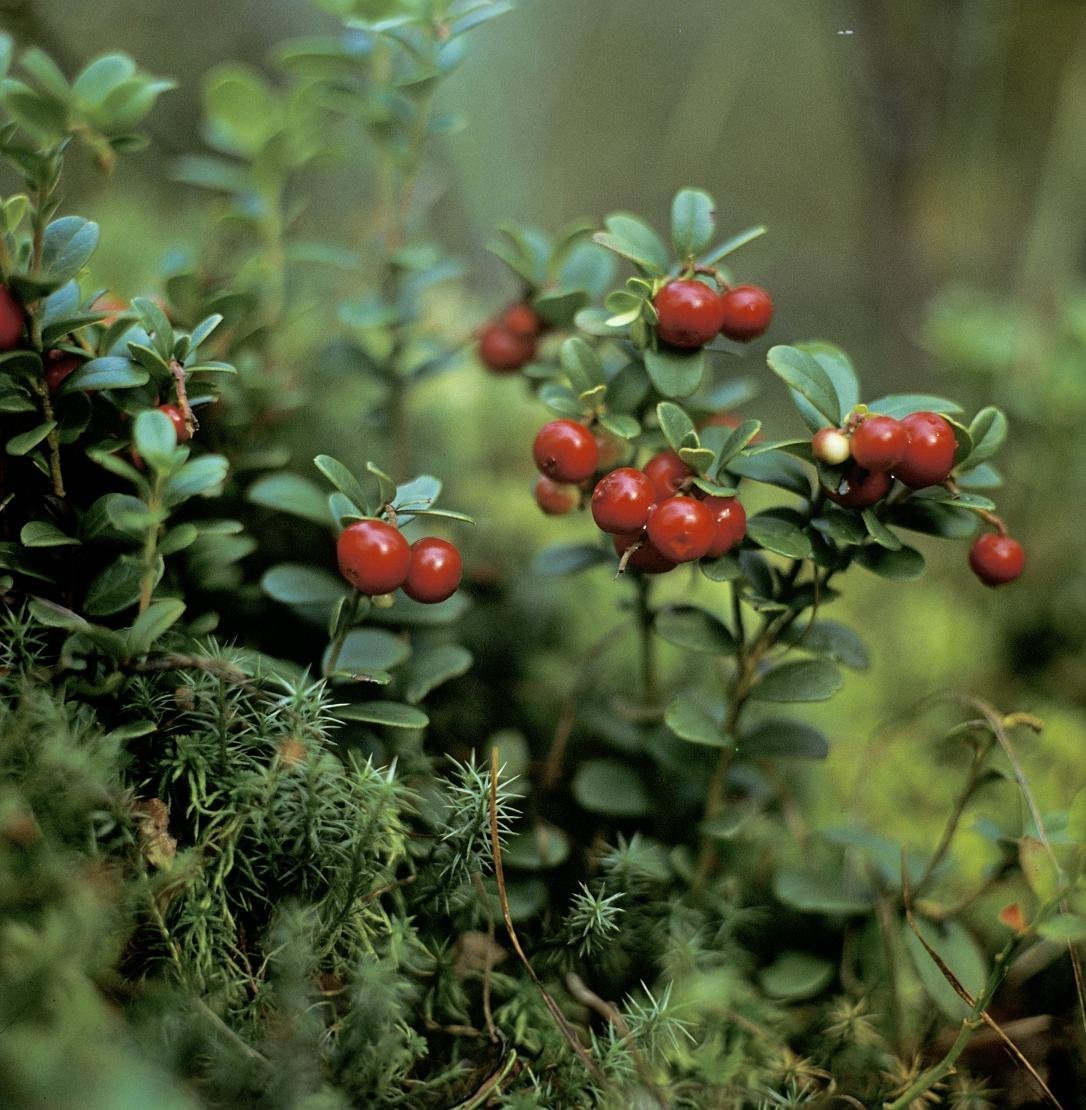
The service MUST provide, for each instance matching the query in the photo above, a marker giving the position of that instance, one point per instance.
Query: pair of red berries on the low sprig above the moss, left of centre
(376, 559)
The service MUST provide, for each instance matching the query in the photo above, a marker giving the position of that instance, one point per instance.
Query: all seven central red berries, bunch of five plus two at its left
(657, 517)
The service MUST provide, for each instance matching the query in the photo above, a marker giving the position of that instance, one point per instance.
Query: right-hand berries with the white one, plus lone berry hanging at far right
(919, 451)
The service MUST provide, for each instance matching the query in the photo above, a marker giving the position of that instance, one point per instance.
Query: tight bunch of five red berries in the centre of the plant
(648, 509)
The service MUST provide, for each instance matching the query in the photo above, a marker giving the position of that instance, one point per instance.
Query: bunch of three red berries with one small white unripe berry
(918, 450)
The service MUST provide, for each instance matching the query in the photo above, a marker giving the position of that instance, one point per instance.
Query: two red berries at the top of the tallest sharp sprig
(691, 314)
